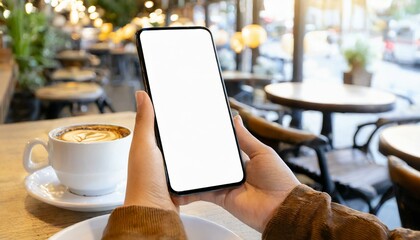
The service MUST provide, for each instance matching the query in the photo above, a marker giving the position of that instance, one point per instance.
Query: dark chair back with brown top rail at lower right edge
(406, 182)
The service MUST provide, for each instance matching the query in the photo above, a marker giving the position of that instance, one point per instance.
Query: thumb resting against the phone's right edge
(248, 143)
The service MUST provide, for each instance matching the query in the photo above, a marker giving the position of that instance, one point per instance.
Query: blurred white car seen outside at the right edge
(403, 46)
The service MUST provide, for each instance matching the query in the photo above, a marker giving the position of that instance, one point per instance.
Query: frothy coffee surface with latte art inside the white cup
(91, 133)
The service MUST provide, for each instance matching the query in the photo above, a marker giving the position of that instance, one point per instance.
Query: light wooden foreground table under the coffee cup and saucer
(23, 217)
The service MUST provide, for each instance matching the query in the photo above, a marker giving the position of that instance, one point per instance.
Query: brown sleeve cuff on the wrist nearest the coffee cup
(137, 222)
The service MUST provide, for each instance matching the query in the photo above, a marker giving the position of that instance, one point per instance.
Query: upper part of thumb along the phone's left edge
(144, 127)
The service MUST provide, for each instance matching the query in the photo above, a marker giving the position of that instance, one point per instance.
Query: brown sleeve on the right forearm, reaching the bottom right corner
(309, 214)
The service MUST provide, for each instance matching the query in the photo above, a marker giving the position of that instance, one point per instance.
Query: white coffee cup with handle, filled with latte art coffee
(85, 158)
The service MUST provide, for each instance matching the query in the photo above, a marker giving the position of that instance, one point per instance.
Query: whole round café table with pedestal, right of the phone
(329, 98)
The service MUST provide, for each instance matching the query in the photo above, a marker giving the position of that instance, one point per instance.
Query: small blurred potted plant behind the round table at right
(358, 59)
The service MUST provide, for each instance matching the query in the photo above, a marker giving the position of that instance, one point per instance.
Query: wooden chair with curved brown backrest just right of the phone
(344, 174)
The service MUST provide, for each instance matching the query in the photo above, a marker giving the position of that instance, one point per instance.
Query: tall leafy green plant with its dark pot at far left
(32, 43)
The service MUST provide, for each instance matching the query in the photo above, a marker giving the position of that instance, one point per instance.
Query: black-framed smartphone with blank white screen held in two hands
(194, 127)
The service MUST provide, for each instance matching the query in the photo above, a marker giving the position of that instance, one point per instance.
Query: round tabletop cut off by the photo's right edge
(402, 141)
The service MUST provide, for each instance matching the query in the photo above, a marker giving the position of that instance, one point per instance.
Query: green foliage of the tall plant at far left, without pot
(33, 44)
